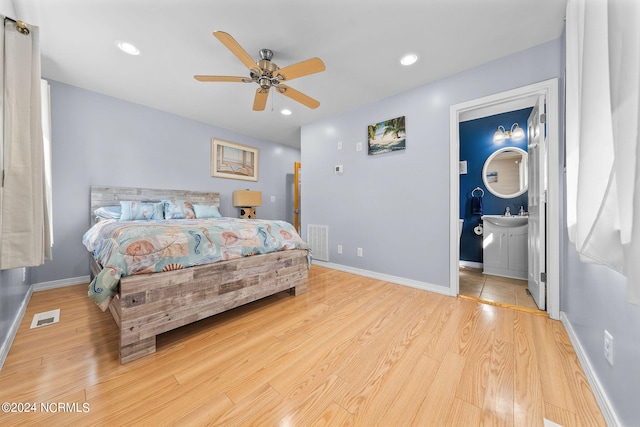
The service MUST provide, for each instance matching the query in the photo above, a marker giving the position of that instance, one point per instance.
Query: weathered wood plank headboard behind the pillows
(111, 196)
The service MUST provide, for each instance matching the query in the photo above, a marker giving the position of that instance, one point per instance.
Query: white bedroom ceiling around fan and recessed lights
(360, 42)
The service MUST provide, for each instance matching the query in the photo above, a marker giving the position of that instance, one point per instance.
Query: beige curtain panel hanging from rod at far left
(24, 231)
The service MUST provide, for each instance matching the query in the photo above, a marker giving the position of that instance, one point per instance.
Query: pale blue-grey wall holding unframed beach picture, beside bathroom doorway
(396, 206)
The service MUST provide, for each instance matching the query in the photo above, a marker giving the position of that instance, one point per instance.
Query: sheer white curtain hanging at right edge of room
(603, 99)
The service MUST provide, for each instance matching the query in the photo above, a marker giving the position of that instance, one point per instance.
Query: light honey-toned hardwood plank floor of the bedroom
(351, 351)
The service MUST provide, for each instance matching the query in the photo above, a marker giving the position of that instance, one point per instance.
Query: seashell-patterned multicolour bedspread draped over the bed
(125, 248)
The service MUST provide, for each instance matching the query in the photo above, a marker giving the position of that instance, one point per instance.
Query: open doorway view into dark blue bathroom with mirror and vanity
(495, 180)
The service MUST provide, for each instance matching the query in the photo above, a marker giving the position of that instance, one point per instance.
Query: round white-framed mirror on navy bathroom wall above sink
(506, 172)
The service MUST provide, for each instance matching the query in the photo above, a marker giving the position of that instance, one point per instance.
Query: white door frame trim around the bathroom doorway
(494, 104)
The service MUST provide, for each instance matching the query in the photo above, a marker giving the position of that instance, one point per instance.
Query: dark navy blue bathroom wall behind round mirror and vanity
(476, 145)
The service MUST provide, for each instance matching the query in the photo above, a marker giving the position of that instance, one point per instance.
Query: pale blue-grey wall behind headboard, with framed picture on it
(100, 140)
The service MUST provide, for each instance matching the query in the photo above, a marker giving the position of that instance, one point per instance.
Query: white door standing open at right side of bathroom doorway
(537, 203)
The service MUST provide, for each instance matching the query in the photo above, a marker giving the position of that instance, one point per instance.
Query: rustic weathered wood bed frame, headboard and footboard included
(150, 304)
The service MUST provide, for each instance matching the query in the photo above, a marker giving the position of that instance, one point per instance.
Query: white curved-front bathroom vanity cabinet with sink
(505, 245)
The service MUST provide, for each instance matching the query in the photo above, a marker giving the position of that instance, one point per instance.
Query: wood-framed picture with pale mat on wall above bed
(235, 161)
